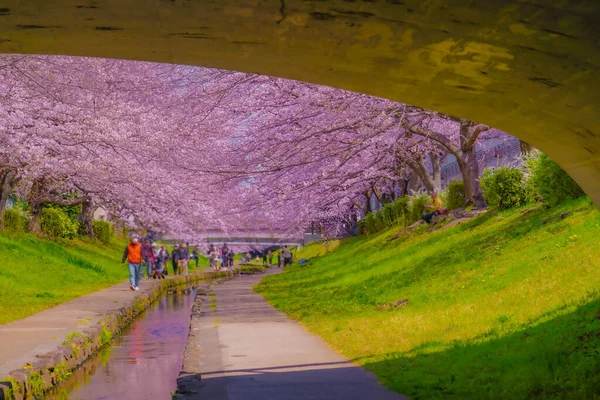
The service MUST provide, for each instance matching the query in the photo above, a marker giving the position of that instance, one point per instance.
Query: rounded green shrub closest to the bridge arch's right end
(549, 181)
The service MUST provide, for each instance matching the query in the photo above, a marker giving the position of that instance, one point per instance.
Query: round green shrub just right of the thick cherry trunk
(503, 187)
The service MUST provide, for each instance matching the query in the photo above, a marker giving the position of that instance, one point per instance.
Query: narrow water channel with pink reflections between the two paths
(143, 363)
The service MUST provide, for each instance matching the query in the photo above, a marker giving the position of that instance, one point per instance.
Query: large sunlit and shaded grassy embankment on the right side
(504, 306)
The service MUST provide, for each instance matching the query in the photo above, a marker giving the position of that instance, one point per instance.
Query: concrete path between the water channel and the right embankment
(246, 349)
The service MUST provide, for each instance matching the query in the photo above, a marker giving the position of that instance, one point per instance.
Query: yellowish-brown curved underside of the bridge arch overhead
(528, 67)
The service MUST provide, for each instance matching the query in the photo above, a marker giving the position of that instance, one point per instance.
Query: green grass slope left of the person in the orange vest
(36, 274)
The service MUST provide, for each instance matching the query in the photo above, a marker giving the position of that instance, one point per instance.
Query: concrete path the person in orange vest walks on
(40, 333)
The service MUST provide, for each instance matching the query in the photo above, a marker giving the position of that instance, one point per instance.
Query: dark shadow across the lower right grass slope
(555, 359)
